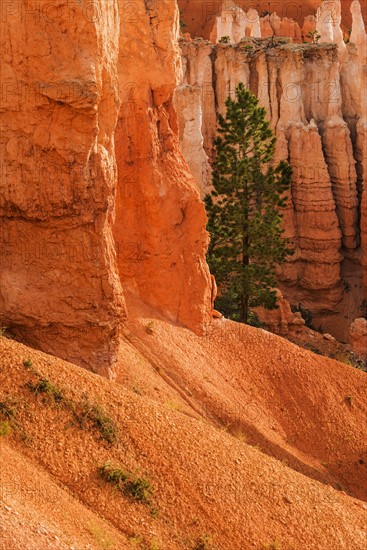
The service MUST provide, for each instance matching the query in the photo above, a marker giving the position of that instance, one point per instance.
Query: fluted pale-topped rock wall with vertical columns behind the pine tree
(312, 94)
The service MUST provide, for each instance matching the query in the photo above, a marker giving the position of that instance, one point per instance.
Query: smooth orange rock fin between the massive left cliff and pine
(160, 220)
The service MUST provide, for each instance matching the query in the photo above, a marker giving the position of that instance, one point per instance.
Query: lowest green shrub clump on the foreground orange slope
(136, 487)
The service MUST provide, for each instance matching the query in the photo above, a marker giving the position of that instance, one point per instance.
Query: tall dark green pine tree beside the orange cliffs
(244, 218)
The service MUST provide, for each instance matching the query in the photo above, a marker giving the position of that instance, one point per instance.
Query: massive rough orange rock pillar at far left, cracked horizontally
(59, 287)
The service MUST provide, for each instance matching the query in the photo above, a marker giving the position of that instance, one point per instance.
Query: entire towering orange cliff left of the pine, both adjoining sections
(70, 75)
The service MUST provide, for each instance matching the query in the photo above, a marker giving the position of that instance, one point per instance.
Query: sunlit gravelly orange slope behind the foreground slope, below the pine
(298, 406)
